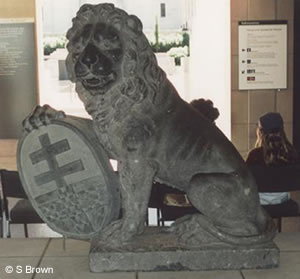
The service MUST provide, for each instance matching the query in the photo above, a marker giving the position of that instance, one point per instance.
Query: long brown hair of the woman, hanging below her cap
(277, 150)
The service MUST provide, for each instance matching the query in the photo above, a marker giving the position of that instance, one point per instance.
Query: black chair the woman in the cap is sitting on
(278, 179)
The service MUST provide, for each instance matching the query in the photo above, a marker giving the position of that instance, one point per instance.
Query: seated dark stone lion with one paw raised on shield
(154, 135)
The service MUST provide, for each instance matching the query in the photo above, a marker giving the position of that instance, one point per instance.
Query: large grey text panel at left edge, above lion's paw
(18, 78)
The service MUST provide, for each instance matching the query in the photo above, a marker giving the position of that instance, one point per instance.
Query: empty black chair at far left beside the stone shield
(22, 212)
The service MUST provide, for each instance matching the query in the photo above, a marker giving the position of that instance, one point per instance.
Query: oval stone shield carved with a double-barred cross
(68, 177)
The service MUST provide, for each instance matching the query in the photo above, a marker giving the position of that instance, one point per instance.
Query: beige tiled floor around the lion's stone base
(48, 256)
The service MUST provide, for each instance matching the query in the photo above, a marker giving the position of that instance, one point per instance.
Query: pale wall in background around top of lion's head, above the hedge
(57, 15)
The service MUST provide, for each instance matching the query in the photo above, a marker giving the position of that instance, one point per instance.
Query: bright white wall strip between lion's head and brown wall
(209, 75)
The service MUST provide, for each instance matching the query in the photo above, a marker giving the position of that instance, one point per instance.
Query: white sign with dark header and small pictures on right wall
(262, 55)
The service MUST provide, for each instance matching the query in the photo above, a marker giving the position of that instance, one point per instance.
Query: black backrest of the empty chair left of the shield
(11, 185)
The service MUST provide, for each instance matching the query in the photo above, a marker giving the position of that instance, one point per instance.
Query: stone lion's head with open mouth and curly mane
(108, 50)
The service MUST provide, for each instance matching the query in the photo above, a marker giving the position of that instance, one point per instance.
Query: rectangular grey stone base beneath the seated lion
(155, 251)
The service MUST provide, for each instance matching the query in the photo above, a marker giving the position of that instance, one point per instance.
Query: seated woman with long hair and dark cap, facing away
(272, 148)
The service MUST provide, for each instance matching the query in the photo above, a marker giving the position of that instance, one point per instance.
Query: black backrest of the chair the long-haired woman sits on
(277, 179)
